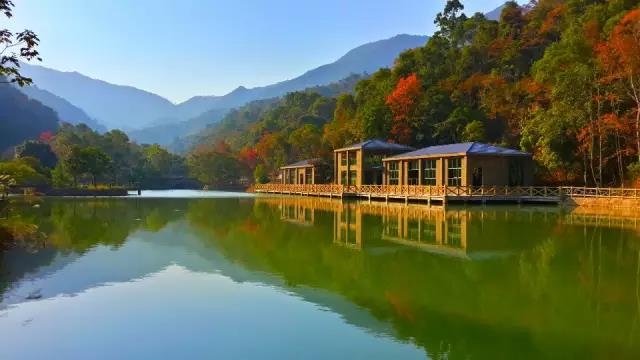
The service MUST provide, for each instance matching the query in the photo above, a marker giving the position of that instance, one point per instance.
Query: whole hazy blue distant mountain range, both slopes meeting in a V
(125, 107)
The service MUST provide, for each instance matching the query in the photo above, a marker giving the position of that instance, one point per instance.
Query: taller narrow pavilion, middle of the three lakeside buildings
(361, 163)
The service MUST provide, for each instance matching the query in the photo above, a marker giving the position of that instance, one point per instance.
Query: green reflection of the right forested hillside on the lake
(518, 291)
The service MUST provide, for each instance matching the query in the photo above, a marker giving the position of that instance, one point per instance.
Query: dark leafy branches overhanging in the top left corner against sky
(14, 48)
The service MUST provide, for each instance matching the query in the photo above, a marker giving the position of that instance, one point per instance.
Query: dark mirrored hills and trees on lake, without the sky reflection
(494, 282)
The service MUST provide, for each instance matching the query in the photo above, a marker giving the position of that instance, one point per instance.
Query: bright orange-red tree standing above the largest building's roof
(404, 104)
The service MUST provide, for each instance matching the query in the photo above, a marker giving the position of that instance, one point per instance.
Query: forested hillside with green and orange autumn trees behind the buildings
(557, 78)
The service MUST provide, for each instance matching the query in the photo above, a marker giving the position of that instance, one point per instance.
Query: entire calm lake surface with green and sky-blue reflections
(236, 277)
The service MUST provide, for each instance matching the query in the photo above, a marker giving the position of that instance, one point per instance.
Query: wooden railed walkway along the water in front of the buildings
(448, 194)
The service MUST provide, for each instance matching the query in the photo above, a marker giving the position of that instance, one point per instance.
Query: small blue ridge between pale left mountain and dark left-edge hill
(67, 112)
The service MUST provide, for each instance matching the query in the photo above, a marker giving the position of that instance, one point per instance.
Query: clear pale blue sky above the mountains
(179, 49)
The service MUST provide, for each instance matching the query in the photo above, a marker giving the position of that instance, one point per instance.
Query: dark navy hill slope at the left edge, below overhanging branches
(22, 118)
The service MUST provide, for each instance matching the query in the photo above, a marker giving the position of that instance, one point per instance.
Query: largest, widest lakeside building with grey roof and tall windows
(466, 164)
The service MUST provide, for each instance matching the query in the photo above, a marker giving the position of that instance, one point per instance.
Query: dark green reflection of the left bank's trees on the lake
(75, 226)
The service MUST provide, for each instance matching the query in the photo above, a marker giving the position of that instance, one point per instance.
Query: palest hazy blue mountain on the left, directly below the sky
(114, 106)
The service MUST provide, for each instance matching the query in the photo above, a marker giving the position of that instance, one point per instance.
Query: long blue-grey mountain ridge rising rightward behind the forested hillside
(367, 58)
